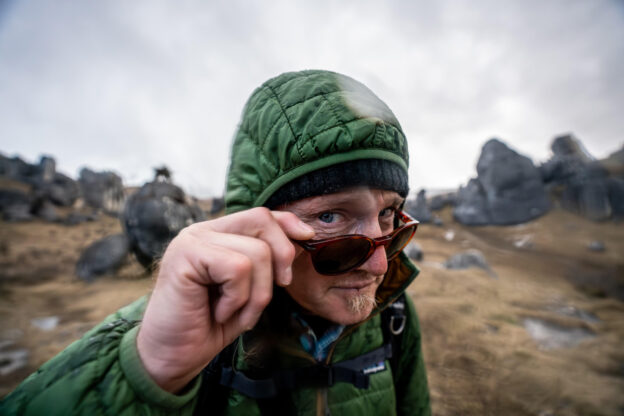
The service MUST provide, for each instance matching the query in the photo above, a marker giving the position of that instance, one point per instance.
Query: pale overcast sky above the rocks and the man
(128, 85)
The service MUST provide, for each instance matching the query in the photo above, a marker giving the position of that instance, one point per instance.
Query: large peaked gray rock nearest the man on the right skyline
(508, 189)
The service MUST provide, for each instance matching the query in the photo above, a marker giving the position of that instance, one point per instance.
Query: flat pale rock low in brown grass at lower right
(551, 336)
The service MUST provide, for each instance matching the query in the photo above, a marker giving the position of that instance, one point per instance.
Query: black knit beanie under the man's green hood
(374, 173)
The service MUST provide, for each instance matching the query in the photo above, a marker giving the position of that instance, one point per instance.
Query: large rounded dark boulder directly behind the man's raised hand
(153, 216)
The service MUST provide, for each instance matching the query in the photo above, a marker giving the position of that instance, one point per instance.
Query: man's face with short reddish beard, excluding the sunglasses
(347, 298)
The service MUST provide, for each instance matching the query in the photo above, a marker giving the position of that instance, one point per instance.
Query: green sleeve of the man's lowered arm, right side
(412, 391)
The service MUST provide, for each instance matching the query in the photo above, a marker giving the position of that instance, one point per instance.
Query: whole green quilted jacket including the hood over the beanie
(293, 124)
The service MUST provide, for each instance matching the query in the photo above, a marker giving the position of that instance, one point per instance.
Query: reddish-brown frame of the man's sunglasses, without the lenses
(314, 245)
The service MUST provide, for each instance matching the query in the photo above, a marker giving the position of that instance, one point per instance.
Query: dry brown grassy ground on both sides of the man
(480, 357)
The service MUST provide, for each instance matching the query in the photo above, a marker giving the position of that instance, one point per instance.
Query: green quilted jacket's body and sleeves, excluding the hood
(101, 374)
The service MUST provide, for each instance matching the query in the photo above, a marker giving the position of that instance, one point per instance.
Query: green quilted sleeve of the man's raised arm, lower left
(100, 374)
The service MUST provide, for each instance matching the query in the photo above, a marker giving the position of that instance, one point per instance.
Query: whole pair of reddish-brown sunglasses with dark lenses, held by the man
(337, 255)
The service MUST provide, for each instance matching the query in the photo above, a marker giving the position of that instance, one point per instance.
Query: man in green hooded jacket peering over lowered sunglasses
(280, 306)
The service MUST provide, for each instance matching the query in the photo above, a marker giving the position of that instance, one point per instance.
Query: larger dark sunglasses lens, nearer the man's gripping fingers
(340, 256)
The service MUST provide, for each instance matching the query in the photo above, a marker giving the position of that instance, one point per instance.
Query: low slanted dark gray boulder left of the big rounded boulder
(103, 256)
